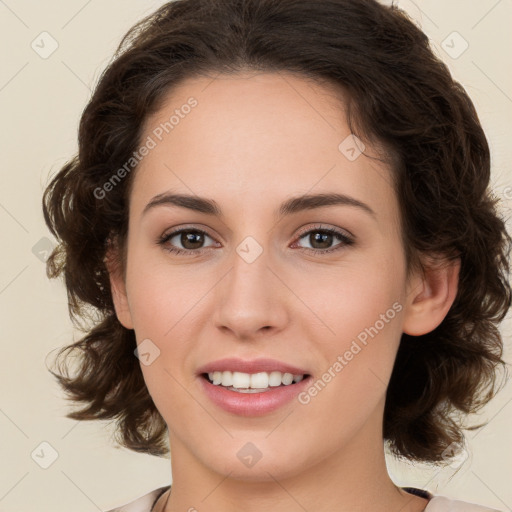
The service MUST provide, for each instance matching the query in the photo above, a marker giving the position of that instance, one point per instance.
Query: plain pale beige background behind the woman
(41, 100)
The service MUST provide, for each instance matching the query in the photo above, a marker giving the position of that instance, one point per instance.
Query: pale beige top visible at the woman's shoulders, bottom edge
(436, 504)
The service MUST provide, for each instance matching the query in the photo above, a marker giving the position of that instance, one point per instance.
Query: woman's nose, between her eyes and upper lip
(251, 299)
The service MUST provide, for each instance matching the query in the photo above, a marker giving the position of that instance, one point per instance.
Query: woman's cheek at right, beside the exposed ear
(361, 329)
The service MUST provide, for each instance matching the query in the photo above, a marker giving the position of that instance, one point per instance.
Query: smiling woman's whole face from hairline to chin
(260, 279)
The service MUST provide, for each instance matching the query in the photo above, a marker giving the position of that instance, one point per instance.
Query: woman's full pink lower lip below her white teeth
(252, 404)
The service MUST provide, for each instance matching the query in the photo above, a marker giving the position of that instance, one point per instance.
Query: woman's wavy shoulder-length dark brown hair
(400, 96)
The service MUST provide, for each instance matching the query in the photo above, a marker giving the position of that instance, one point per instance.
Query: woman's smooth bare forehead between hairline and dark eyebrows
(255, 136)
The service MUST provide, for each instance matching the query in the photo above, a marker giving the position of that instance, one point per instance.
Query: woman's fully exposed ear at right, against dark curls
(430, 295)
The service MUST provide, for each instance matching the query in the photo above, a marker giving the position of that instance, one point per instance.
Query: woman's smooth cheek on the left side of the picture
(161, 300)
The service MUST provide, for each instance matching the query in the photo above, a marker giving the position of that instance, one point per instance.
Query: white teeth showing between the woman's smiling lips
(248, 383)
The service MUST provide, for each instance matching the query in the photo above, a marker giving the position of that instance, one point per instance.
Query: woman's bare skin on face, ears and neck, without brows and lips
(253, 141)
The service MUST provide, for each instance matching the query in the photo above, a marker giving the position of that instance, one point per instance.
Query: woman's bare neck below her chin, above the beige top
(353, 479)
